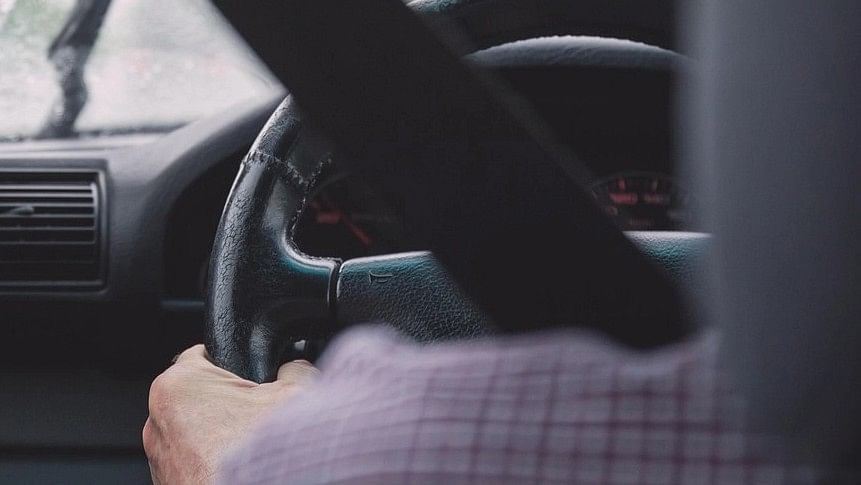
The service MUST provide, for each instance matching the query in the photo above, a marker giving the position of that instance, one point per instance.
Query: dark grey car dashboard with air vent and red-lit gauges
(149, 219)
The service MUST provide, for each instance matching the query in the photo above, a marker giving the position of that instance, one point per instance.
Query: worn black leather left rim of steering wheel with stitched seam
(264, 293)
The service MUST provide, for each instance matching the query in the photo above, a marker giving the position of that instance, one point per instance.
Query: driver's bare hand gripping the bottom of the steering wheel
(198, 411)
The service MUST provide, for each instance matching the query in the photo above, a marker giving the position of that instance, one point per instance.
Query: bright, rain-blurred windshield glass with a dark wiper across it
(150, 66)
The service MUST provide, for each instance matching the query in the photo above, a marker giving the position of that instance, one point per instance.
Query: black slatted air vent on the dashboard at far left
(50, 229)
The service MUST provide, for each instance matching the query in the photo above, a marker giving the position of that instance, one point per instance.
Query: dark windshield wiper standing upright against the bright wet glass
(69, 53)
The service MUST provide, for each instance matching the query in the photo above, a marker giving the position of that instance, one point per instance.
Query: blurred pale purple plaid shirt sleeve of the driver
(553, 407)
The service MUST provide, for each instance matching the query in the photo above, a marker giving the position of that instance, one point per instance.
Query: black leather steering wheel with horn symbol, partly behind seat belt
(265, 294)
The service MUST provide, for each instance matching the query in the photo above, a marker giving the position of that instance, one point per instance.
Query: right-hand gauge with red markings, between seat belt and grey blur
(643, 201)
